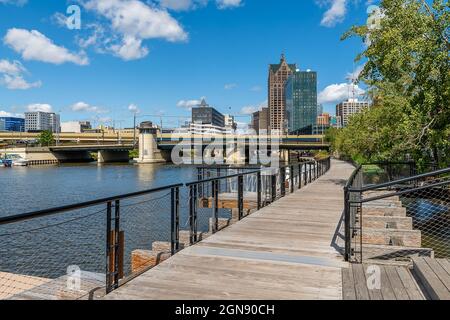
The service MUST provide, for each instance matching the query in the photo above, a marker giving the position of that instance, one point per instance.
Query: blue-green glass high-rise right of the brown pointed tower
(301, 102)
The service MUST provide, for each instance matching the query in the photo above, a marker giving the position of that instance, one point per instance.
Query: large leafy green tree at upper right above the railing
(407, 72)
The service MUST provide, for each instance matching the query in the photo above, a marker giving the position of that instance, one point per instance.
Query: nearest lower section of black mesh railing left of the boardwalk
(91, 242)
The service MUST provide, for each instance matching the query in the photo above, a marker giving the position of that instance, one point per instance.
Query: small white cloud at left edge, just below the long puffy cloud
(11, 76)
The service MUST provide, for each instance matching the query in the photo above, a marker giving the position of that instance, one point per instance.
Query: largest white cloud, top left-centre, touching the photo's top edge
(132, 22)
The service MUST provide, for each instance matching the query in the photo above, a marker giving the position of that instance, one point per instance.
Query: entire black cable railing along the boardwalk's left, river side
(89, 249)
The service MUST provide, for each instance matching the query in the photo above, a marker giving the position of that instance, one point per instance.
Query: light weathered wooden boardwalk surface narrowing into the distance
(288, 250)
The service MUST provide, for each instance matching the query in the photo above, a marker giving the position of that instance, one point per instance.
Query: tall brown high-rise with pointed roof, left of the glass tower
(278, 75)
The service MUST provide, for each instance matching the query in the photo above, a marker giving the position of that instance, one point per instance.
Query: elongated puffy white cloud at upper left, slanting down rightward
(33, 45)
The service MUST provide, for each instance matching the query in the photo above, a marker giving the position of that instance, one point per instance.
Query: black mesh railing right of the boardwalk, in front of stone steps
(399, 219)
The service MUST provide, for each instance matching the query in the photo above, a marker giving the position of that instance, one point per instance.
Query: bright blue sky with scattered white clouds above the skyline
(162, 56)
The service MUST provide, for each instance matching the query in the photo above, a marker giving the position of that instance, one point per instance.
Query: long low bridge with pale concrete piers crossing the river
(154, 147)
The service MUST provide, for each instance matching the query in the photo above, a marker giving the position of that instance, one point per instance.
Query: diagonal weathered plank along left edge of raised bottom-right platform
(433, 285)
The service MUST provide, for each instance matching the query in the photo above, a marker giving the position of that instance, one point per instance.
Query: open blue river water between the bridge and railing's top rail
(25, 189)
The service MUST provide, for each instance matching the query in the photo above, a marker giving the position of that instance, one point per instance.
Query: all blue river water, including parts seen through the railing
(46, 247)
